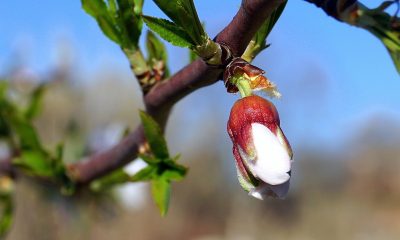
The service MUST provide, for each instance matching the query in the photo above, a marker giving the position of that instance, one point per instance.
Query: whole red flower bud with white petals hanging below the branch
(262, 152)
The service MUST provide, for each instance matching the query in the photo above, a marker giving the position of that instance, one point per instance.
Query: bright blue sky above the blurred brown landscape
(332, 76)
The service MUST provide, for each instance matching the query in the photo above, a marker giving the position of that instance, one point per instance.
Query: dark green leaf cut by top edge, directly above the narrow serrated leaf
(183, 13)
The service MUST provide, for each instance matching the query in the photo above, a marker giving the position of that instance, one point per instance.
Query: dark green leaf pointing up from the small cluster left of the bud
(154, 136)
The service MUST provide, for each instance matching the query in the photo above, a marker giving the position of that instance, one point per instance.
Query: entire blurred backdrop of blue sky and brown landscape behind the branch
(340, 110)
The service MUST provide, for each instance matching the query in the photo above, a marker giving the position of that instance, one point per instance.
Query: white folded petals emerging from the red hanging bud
(272, 162)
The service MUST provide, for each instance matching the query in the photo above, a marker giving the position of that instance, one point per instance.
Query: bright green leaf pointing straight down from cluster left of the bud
(161, 190)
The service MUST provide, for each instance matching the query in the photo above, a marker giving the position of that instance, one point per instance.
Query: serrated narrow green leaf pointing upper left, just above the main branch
(169, 31)
